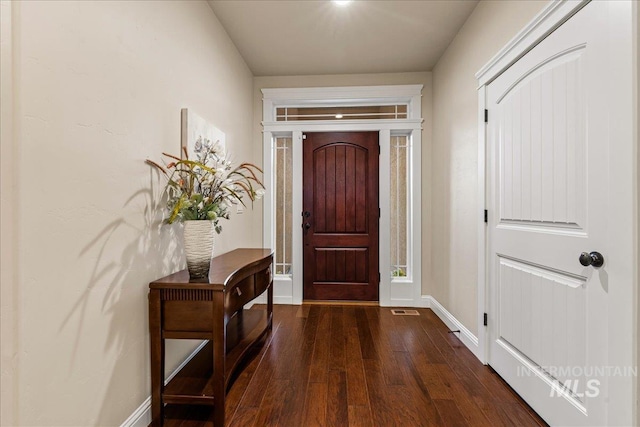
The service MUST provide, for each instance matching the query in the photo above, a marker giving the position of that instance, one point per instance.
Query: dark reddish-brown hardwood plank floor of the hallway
(362, 366)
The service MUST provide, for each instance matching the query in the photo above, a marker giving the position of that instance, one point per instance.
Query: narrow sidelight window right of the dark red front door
(399, 217)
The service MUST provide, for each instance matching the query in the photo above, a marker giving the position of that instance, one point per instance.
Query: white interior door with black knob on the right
(550, 188)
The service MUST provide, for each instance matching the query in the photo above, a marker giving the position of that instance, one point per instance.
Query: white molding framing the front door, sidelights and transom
(406, 292)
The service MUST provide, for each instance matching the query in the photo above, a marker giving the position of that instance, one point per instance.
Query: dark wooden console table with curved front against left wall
(213, 310)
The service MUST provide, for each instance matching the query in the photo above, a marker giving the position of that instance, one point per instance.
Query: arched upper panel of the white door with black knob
(542, 147)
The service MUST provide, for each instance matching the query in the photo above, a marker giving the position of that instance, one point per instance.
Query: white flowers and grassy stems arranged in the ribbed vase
(206, 187)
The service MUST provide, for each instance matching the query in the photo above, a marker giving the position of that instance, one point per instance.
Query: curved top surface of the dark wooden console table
(223, 267)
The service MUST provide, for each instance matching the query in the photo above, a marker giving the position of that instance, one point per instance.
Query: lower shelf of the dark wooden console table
(194, 383)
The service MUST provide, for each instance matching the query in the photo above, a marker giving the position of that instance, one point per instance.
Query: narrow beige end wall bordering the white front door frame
(423, 78)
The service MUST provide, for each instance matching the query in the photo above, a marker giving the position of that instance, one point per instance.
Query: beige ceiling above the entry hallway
(304, 37)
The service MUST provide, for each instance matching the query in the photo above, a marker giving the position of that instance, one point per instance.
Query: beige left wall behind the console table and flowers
(98, 88)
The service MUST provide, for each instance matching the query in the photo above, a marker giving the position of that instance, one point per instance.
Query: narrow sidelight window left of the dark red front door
(284, 191)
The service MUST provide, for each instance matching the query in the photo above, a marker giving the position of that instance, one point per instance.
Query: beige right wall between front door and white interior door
(455, 151)
